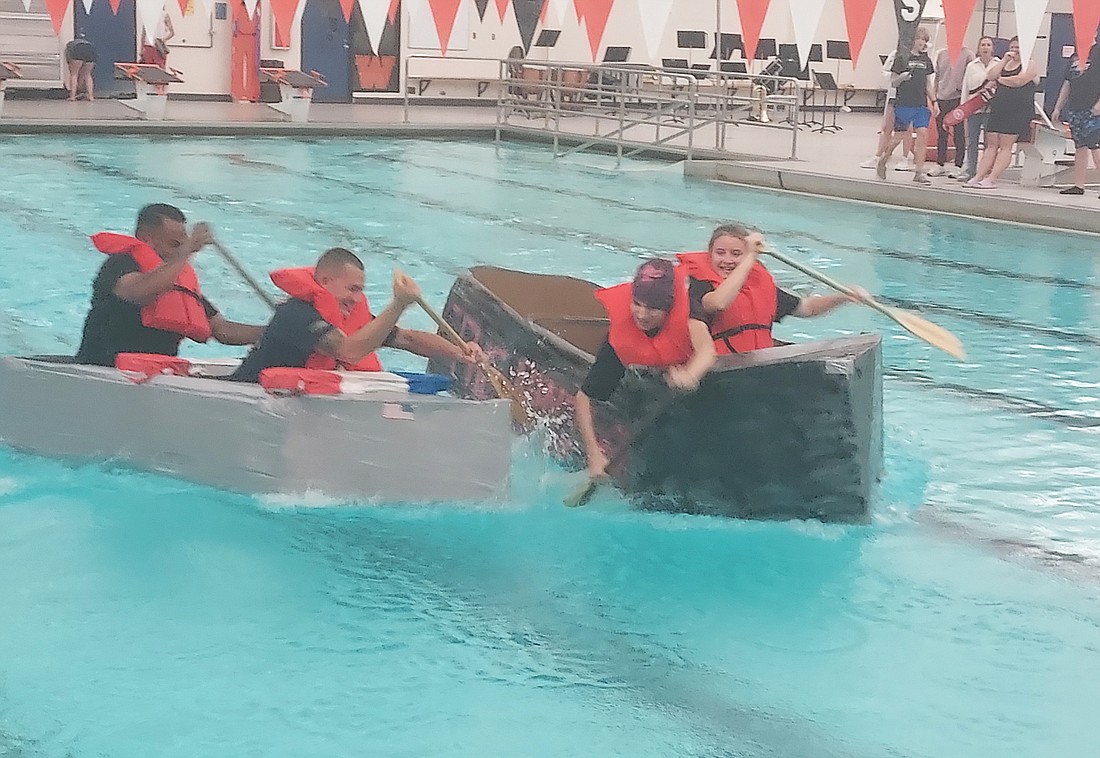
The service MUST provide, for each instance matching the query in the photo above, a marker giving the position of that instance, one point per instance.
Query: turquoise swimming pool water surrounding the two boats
(145, 617)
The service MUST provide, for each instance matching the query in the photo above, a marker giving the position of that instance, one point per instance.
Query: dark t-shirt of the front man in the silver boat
(290, 340)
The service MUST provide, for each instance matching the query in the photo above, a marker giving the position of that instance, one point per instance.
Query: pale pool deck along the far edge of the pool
(828, 164)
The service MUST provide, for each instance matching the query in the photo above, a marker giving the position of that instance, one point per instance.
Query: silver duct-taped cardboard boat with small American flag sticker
(389, 446)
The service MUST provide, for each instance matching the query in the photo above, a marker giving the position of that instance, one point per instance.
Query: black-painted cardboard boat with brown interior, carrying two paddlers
(793, 432)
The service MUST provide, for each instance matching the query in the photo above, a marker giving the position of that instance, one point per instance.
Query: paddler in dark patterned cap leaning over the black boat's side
(655, 306)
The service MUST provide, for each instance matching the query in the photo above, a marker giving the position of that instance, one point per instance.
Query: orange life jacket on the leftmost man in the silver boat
(178, 311)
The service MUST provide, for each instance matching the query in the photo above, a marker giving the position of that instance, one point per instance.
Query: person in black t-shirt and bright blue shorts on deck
(915, 105)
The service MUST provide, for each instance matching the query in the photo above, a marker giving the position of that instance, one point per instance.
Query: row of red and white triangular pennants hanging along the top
(655, 16)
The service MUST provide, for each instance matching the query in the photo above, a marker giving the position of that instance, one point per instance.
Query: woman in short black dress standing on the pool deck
(1010, 115)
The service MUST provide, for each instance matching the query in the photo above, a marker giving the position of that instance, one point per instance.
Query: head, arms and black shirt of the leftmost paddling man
(122, 290)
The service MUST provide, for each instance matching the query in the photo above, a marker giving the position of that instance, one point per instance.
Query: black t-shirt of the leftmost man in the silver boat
(114, 326)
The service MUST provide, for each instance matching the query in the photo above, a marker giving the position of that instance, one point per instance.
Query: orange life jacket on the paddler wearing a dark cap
(673, 344)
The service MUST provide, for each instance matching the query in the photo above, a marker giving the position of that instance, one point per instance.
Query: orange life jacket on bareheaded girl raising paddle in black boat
(746, 324)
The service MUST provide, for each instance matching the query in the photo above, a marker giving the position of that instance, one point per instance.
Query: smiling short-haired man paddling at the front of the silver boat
(299, 331)
